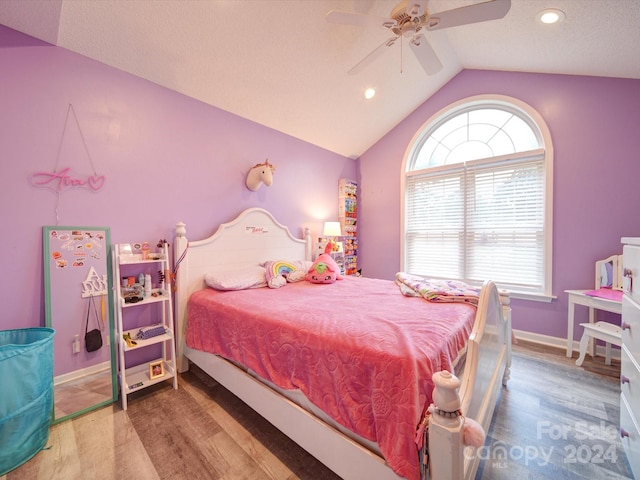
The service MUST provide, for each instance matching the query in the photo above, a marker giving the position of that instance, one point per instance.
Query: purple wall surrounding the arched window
(594, 128)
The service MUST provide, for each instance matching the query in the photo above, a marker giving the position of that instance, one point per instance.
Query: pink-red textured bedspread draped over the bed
(358, 349)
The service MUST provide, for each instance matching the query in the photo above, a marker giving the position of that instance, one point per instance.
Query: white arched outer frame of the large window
(533, 118)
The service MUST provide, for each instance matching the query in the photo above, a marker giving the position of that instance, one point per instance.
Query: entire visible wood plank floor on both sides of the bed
(555, 421)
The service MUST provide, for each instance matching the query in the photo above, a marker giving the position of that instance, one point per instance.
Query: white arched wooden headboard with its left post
(251, 238)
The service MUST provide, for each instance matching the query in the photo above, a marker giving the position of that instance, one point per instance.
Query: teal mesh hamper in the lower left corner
(26, 394)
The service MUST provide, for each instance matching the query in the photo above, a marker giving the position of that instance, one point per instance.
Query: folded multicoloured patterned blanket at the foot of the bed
(435, 290)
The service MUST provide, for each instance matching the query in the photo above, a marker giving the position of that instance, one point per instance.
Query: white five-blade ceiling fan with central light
(410, 18)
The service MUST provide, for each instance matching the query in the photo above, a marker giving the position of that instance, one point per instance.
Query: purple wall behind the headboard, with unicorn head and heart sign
(166, 158)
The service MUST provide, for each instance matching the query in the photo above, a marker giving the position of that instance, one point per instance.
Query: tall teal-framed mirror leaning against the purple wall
(79, 297)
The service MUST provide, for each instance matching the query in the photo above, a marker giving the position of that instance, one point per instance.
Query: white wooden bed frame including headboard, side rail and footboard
(255, 236)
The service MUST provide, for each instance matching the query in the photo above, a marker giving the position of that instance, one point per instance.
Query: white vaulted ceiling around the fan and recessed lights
(281, 64)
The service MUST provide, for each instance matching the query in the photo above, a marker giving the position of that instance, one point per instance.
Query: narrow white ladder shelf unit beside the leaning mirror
(159, 299)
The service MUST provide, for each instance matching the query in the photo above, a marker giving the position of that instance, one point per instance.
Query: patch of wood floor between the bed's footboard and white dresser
(556, 420)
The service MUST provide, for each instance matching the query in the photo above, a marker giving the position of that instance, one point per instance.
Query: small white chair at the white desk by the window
(608, 276)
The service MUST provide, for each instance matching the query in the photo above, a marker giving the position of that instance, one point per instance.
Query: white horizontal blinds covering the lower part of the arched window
(479, 220)
